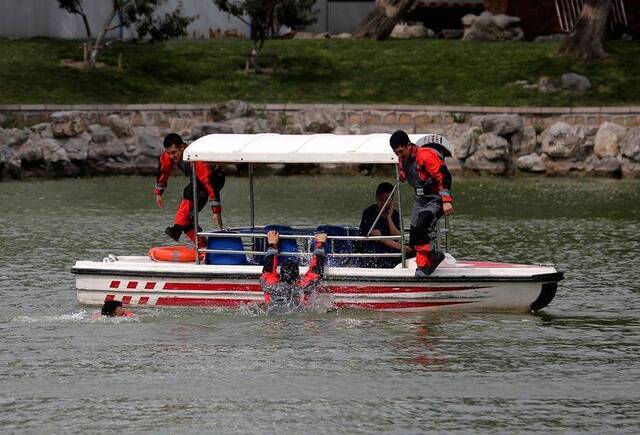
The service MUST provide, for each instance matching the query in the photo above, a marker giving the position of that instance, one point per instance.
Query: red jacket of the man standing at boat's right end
(430, 166)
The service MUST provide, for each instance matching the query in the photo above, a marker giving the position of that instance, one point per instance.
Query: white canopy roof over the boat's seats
(287, 148)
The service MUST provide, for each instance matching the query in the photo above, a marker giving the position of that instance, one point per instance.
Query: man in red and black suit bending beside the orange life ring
(210, 179)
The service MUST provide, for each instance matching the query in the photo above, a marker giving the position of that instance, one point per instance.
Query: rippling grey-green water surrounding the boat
(572, 368)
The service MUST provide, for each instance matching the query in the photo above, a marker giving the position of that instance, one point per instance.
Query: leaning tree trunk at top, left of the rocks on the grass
(383, 18)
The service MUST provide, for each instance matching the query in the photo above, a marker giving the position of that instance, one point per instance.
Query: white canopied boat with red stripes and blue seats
(230, 276)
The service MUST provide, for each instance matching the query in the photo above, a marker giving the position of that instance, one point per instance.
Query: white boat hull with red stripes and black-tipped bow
(493, 289)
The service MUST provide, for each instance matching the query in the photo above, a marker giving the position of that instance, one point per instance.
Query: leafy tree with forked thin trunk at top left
(135, 14)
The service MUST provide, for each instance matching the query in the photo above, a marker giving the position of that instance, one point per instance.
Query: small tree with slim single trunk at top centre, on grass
(266, 17)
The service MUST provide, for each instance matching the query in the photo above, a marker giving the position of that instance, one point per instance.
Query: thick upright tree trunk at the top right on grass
(585, 41)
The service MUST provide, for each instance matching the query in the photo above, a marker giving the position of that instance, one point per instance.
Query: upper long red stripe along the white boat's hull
(333, 289)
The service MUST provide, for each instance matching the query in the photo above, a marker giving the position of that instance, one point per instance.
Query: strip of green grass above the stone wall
(317, 71)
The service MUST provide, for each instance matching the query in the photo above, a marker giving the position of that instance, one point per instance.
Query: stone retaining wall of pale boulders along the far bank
(57, 141)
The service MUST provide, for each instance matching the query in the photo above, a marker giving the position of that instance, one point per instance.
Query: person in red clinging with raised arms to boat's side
(286, 290)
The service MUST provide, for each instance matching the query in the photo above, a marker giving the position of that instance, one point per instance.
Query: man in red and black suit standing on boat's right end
(424, 168)
